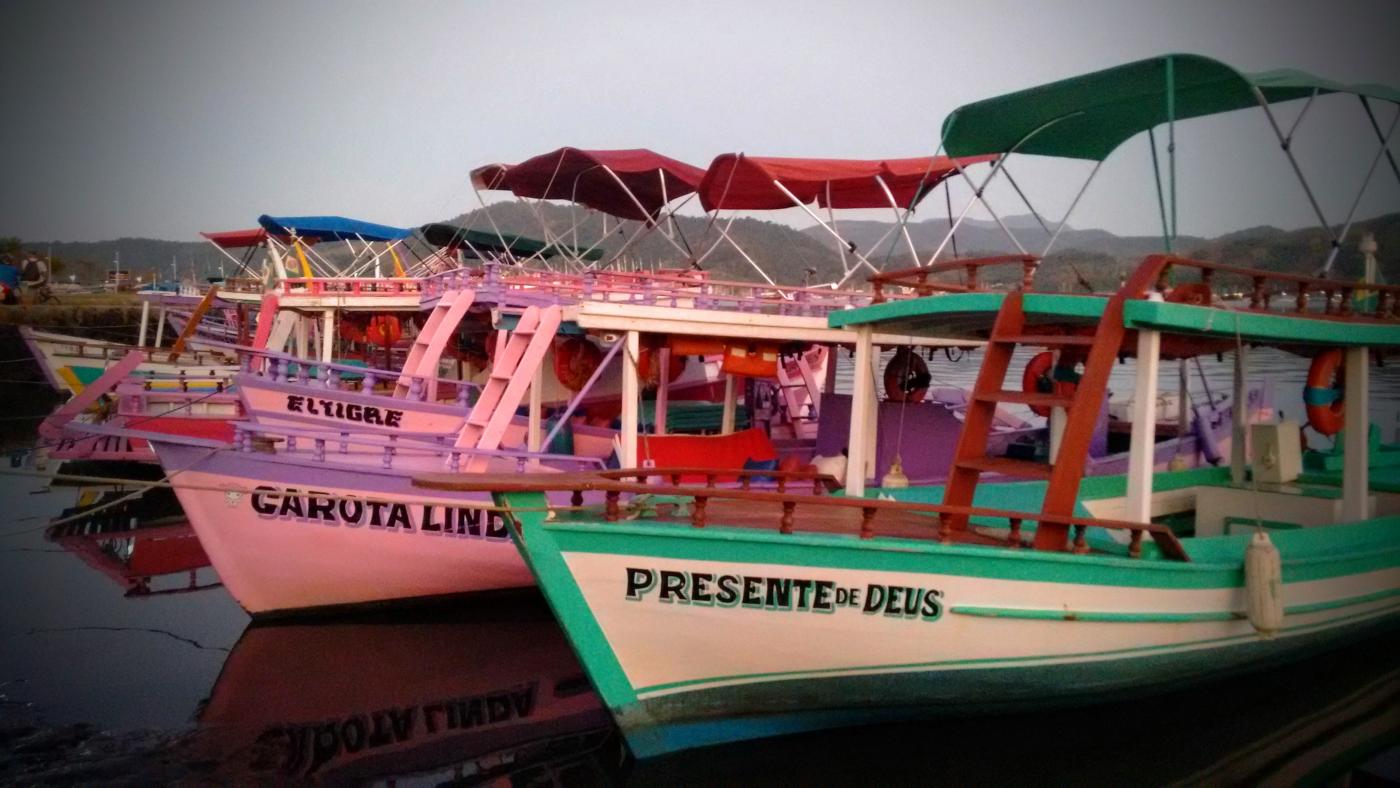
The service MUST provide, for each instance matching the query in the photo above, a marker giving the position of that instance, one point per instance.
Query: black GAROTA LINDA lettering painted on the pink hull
(272, 503)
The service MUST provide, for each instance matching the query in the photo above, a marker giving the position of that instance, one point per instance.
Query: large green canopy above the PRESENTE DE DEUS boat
(1091, 115)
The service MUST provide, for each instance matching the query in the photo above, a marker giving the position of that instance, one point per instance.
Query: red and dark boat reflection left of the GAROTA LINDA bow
(145, 545)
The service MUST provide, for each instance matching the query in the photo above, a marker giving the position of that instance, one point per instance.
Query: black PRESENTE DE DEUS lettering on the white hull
(783, 594)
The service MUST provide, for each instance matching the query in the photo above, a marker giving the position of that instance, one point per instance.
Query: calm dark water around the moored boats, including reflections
(183, 688)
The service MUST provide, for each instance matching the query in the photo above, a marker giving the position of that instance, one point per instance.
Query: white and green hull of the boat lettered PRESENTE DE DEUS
(978, 631)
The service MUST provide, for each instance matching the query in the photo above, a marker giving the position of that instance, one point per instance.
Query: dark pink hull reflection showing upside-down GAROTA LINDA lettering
(488, 691)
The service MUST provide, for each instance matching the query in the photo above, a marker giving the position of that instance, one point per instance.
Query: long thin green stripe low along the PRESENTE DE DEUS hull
(1013, 661)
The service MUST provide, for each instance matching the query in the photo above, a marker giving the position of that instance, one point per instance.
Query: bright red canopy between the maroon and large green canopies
(747, 183)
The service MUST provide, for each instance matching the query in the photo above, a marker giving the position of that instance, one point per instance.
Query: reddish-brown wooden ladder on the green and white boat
(1066, 471)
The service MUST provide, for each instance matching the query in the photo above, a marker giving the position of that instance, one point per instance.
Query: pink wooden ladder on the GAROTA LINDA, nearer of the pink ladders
(507, 384)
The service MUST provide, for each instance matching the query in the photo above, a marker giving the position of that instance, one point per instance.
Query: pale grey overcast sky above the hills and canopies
(164, 118)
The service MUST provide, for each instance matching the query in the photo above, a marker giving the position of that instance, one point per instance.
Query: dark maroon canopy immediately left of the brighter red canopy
(629, 184)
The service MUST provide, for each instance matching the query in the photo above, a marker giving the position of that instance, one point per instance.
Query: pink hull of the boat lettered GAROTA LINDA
(281, 544)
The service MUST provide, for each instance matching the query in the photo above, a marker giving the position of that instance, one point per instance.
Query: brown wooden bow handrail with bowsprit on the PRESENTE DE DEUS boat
(580, 484)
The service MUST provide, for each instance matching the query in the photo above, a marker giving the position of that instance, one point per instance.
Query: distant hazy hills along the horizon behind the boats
(787, 254)
